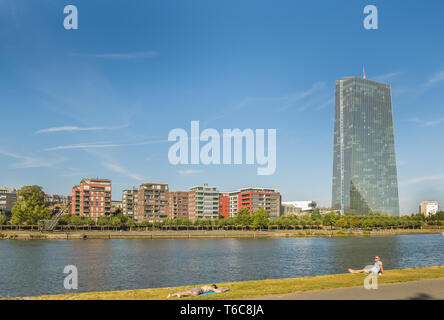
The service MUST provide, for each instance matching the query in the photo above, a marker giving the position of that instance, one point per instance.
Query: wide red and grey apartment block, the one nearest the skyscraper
(254, 198)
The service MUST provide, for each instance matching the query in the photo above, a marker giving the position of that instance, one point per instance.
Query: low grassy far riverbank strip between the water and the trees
(84, 235)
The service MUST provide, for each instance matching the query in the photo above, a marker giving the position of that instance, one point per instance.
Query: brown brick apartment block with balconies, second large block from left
(152, 202)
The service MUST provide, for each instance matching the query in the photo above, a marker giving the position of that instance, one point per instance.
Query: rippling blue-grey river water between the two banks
(36, 267)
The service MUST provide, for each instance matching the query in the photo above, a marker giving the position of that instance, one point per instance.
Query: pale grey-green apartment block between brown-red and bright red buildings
(203, 202)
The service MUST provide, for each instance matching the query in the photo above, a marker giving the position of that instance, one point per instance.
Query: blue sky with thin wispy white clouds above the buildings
(134, 70)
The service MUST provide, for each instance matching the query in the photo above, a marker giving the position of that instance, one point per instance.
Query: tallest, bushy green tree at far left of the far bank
(30, 206)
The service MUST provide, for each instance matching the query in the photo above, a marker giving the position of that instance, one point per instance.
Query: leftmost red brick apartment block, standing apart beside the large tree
(92, 198)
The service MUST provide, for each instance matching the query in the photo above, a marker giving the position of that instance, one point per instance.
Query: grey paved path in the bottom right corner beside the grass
(414, 290)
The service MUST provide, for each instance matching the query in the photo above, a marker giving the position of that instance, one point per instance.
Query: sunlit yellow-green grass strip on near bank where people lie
(251, 289)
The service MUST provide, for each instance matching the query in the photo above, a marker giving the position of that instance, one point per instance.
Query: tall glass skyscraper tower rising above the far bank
(364, 164)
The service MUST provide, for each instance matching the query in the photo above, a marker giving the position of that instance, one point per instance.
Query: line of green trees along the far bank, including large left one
(30, 208)
